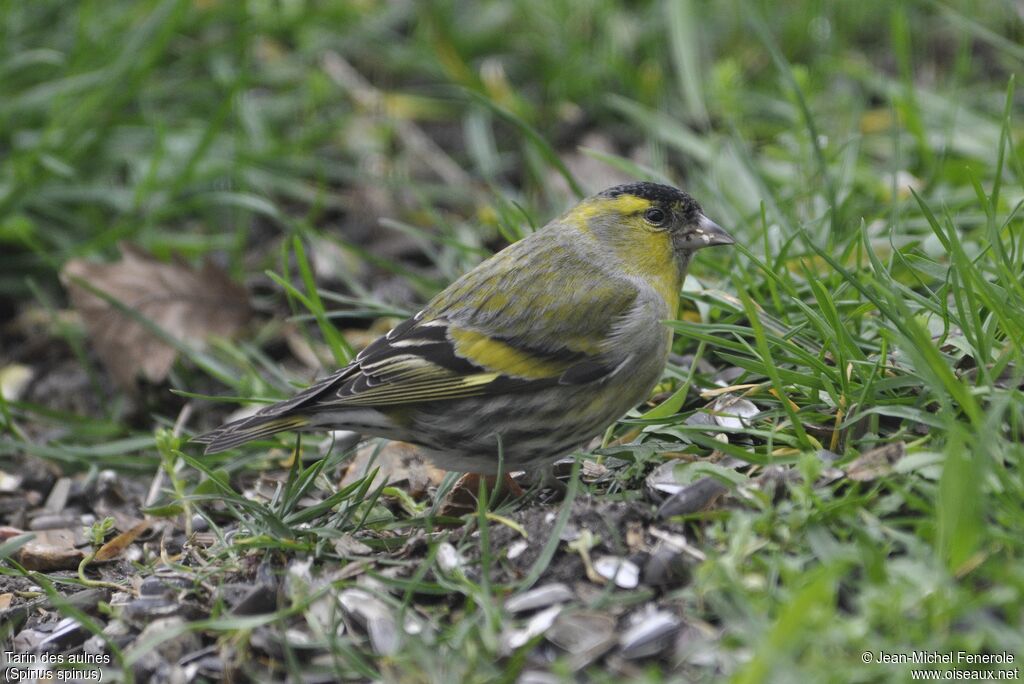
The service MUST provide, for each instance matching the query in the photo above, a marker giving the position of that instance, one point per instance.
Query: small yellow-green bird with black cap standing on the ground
(530, 355)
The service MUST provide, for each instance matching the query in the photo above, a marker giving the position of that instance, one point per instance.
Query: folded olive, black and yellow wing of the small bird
(492, 332)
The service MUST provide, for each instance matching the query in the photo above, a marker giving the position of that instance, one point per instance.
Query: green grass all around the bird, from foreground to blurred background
(867, 313)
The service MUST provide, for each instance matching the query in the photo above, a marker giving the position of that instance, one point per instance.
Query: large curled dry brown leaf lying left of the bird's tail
(190, 305)
